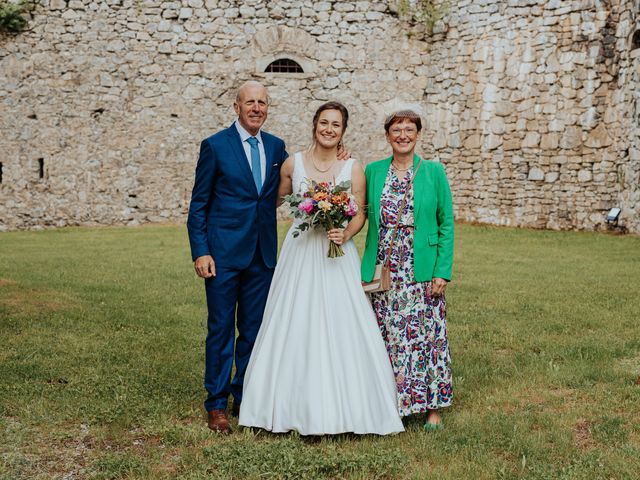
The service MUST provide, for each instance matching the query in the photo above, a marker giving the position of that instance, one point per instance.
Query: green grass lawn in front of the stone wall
(102, 333)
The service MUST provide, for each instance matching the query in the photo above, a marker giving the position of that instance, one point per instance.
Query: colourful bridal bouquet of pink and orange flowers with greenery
(325, 205)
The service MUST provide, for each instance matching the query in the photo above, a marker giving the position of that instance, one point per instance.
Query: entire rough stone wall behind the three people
(532, 105)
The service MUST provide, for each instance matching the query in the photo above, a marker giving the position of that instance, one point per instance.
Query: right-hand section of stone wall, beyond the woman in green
(532, 108)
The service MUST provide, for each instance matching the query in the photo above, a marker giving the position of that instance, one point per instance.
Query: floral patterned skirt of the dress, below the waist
(413, 326)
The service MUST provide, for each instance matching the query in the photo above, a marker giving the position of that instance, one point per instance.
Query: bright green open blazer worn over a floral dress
(433, 219)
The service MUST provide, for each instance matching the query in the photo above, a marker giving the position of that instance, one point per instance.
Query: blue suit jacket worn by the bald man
(228, 218)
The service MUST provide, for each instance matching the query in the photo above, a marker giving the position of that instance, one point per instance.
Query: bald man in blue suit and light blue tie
(233, 237)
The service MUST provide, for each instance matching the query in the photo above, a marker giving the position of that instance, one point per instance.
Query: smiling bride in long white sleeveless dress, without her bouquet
(319, 365)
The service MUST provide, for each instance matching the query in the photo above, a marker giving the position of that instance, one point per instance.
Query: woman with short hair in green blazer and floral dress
(411, 314)
